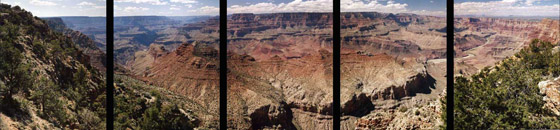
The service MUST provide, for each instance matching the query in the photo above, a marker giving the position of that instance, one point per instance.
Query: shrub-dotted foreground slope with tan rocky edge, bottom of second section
(138, 101)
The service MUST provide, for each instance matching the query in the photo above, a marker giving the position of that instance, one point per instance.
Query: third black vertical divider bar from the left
(336, 64)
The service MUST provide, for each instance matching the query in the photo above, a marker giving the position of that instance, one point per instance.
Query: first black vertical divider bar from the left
(110, 80)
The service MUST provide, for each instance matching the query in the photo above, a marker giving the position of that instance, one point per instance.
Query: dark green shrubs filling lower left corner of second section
(146, 110)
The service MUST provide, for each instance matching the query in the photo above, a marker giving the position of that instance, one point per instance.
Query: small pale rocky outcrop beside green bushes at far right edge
(551, 91)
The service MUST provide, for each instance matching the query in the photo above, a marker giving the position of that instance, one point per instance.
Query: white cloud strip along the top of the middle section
(294, 6)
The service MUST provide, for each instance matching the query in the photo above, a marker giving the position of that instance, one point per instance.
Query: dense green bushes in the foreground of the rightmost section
(506, 96)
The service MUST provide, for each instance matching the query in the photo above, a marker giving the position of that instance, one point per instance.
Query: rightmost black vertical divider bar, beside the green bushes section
(450, 61)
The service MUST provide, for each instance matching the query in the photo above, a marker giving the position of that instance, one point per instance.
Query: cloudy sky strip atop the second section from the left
(166, 7)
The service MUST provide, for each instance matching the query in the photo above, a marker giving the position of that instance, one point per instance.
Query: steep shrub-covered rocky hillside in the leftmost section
(46, 81)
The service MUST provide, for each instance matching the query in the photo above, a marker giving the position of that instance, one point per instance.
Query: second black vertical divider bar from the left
(223, 64)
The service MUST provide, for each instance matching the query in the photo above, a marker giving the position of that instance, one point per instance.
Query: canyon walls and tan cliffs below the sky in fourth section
(393, 70)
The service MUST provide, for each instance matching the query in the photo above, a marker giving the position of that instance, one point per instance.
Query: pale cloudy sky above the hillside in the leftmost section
(46, 8)
